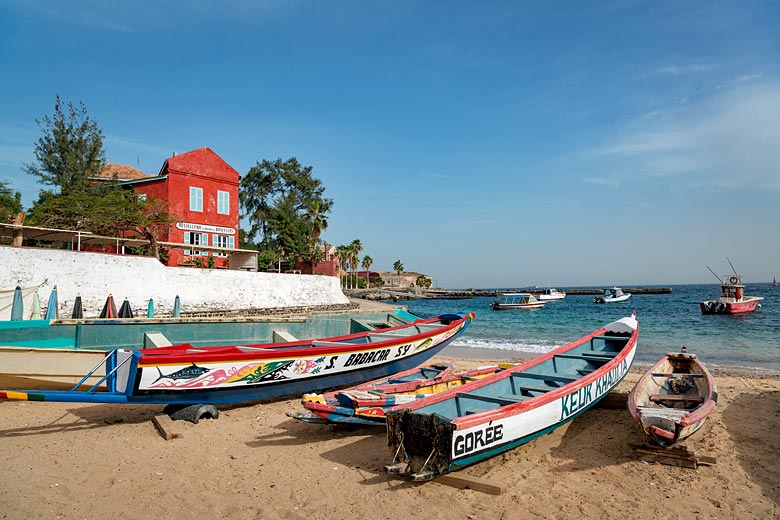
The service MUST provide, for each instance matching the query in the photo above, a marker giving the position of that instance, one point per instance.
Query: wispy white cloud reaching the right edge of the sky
(728, 140)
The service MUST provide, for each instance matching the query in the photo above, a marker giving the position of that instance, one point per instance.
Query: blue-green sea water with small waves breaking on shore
(667, 322)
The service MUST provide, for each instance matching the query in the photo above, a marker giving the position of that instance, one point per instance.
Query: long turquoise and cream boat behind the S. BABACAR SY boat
(57, 353)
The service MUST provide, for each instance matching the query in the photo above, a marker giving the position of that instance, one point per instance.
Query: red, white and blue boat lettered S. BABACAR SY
(186, 375)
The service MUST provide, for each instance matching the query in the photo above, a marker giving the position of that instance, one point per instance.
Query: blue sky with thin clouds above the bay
(488, 144)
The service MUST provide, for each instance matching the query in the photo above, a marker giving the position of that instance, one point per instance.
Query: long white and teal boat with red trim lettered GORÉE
(447, 431)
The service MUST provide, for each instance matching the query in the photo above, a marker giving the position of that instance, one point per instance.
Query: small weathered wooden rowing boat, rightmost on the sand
(672, 400)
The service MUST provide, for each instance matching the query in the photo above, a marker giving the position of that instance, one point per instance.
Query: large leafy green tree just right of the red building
(285, 207)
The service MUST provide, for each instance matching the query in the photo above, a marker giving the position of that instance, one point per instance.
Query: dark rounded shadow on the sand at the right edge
(752, 421)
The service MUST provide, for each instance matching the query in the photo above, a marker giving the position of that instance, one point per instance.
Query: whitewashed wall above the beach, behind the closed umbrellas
(95, 275)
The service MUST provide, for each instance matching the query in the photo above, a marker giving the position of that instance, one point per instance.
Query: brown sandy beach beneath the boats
(81, 461)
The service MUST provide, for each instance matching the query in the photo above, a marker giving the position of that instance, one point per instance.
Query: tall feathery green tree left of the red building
(70, 151)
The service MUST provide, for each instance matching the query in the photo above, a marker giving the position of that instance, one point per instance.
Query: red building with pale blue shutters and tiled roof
(202, 192)
